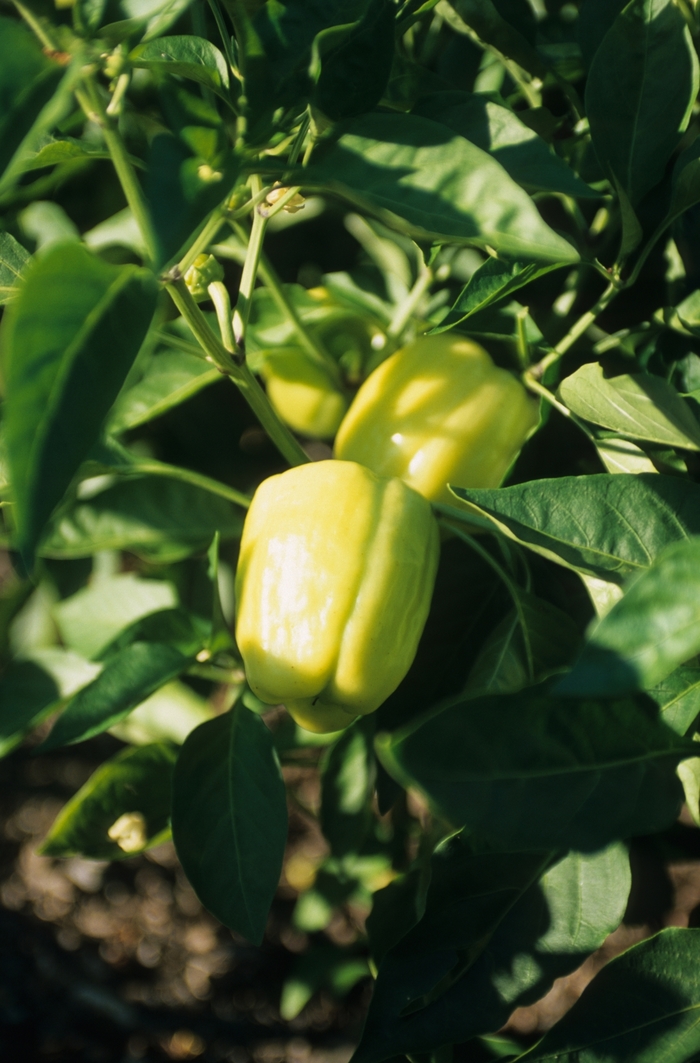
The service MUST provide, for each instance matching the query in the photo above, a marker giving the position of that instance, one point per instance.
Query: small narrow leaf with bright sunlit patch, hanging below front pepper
(348, 788)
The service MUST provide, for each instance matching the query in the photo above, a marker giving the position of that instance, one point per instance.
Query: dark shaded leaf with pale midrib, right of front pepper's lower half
(503, 665)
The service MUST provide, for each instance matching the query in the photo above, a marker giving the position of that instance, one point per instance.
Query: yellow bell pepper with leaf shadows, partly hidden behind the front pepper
(439, 412)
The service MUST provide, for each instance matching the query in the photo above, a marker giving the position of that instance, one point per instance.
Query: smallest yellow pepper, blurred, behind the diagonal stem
(303, 393)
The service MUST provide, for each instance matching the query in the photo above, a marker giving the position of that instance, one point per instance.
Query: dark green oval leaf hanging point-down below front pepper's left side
(230, 819)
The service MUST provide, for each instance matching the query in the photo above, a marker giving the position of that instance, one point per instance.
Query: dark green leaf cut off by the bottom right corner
(642, 1008)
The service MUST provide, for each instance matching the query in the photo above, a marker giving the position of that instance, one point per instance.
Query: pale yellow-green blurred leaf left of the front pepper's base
(168, 716)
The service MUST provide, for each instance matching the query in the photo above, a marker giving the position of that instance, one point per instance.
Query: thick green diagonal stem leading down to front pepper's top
(240, 374)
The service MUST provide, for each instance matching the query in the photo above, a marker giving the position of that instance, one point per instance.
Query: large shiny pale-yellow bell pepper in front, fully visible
(333, 589)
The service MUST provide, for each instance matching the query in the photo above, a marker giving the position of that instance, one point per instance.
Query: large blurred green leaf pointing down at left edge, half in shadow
(71, 338)
